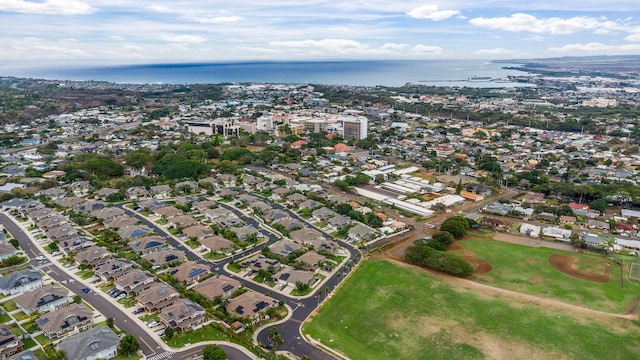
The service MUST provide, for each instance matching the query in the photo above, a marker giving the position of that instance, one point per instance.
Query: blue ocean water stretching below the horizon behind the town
(356, 73)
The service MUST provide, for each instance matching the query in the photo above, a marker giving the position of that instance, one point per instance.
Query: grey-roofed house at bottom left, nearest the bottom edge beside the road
(97, 343)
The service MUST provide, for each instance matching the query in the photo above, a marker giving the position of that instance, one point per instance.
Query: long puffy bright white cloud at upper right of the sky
(556, 26)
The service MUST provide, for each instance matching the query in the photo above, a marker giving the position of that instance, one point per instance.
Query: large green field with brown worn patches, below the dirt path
(387, 311)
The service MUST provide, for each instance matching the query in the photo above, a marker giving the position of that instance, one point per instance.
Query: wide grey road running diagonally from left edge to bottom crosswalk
(149, 346)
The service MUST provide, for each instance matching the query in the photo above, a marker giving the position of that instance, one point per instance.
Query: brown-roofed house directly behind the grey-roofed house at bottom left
(70, 319)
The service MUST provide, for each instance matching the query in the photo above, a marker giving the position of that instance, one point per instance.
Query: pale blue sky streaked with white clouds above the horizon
(111, 32)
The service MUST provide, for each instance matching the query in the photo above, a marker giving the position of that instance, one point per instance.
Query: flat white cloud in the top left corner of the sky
(49, 7)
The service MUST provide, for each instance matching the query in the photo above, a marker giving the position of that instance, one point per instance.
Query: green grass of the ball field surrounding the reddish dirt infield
(527, 270)
